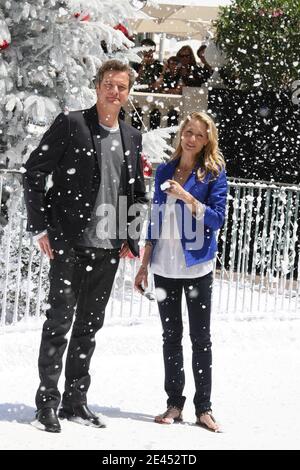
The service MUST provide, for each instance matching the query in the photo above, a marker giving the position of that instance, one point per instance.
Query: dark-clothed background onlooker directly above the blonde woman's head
(191, 73)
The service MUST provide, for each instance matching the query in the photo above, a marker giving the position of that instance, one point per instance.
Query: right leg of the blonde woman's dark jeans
(198, 296)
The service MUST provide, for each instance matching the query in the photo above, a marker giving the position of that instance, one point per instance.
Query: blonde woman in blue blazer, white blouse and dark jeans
(187, 209)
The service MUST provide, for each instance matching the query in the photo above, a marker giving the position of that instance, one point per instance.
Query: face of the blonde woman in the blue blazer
(194, 137)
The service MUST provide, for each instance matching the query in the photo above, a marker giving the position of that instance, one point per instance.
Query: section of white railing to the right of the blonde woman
(260, 245)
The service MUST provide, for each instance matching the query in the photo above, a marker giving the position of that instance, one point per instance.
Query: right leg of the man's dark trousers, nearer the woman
(99, 273)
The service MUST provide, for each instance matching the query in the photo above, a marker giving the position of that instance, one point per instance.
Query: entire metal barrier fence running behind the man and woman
(256, 269)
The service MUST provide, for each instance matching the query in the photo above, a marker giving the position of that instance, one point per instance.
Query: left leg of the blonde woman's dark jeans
(171, 318)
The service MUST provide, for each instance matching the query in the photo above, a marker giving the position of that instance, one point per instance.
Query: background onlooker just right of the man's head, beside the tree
(149, 69)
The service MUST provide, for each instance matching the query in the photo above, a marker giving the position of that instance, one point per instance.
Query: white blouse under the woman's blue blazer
(168, 257)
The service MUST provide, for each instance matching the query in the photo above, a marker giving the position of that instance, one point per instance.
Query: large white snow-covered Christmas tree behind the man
(50, 51)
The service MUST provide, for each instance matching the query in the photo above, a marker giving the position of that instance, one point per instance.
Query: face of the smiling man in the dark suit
(113, 90)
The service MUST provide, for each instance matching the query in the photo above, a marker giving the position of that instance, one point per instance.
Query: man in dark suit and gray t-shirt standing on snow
(94, 160)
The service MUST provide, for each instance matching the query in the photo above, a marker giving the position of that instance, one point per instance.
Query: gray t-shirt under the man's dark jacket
(103, 229)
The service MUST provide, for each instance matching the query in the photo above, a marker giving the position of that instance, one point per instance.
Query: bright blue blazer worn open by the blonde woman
(211, 192)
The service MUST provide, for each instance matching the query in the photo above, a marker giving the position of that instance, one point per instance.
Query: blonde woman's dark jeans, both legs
(198, 298)
